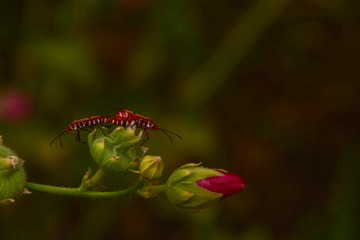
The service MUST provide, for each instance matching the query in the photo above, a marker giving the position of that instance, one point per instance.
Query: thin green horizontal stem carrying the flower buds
(77, 192)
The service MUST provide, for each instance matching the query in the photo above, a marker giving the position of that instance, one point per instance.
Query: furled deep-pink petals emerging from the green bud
(227, 185)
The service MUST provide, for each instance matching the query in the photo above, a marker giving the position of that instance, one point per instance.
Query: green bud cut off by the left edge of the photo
(12, 175)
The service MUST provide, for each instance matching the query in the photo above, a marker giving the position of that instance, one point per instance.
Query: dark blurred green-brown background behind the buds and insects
(267, 89)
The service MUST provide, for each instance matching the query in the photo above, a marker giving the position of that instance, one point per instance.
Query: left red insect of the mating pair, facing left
(77, 125)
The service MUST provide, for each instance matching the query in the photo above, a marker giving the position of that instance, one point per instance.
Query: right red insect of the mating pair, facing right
(127, 118)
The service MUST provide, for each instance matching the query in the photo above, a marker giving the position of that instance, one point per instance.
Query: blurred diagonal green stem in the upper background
(248, 29)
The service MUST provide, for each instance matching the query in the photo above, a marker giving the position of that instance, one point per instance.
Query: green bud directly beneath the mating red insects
(116, 151)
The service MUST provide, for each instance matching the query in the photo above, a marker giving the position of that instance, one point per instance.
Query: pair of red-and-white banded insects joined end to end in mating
(124, 118)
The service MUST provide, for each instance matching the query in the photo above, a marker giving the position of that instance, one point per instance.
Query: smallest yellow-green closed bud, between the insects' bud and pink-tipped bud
(151, 167)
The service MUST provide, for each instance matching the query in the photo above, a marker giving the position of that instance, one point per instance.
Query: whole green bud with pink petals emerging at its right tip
(195, 188)
